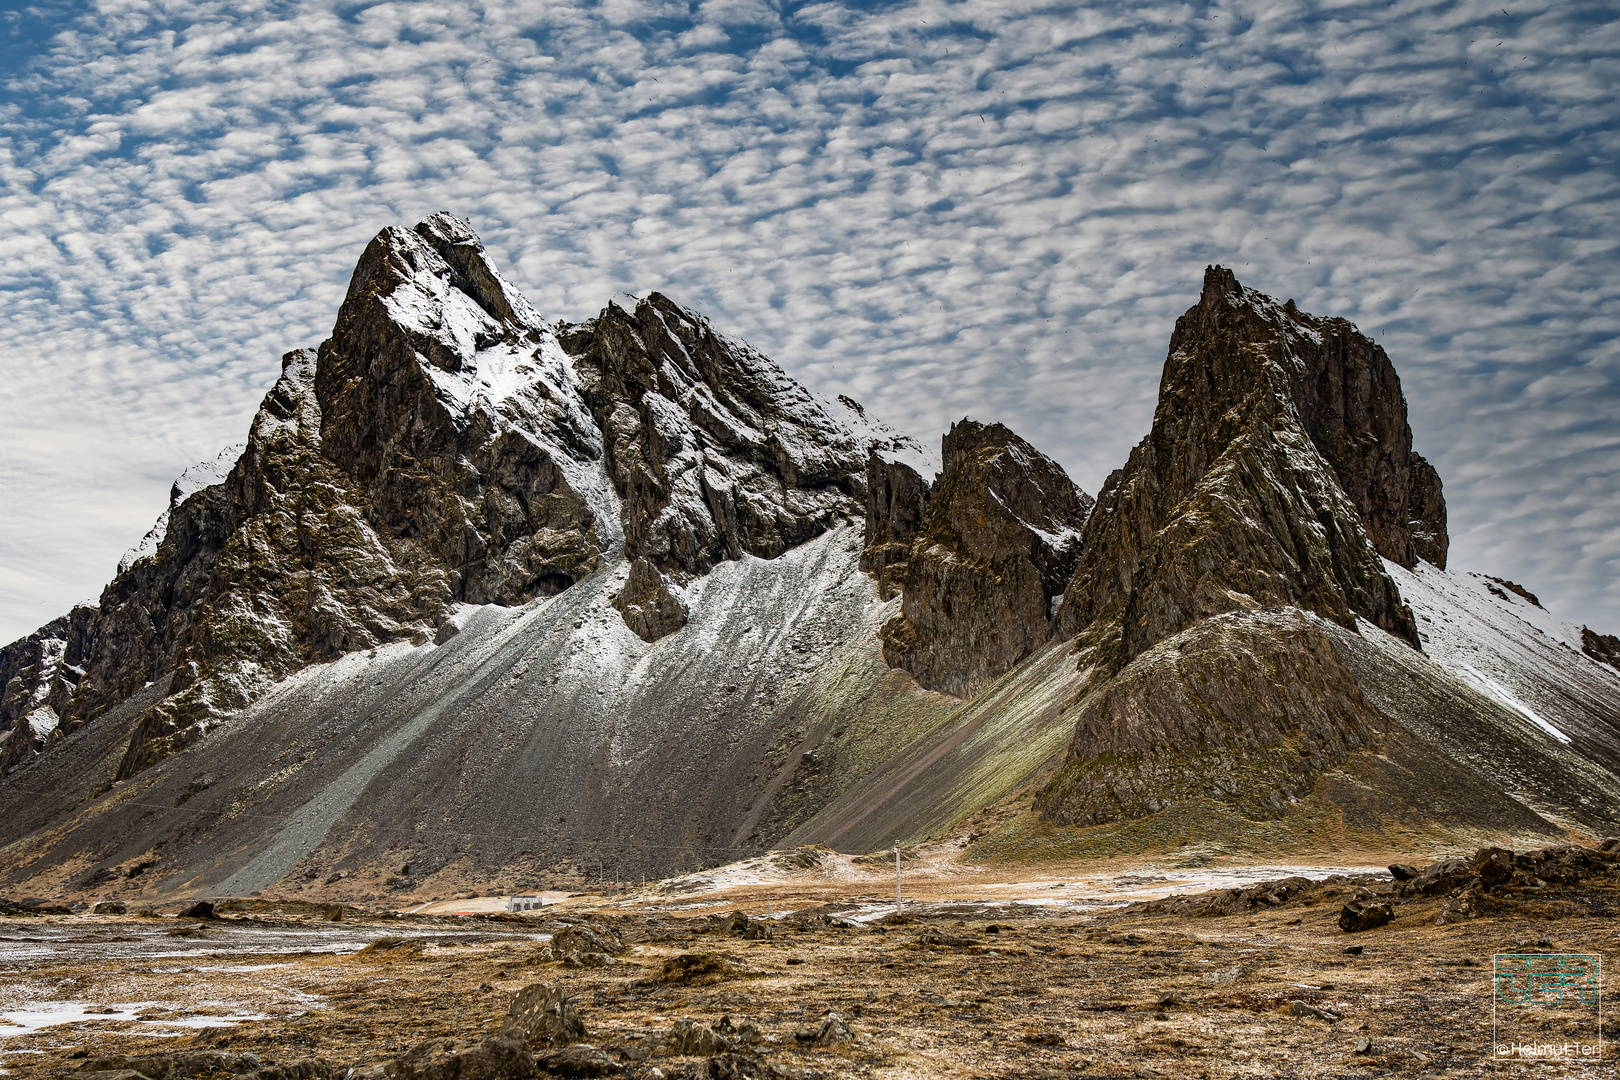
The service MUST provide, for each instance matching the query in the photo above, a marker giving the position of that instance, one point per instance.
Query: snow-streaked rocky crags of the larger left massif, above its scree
(443, 448)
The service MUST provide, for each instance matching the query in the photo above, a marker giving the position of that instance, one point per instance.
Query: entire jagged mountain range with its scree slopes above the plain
(498, 603)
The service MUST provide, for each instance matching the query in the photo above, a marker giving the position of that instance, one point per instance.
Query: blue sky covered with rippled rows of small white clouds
(942, 210)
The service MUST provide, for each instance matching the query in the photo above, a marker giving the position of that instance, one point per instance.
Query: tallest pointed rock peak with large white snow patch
(448, 402)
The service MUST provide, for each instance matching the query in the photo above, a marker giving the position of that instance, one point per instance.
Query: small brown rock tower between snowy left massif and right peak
(999, 542)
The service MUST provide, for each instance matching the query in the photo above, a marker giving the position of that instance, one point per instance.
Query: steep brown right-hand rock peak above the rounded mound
(1277, 472)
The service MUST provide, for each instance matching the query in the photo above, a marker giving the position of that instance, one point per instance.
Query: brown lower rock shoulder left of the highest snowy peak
(271, 571)
